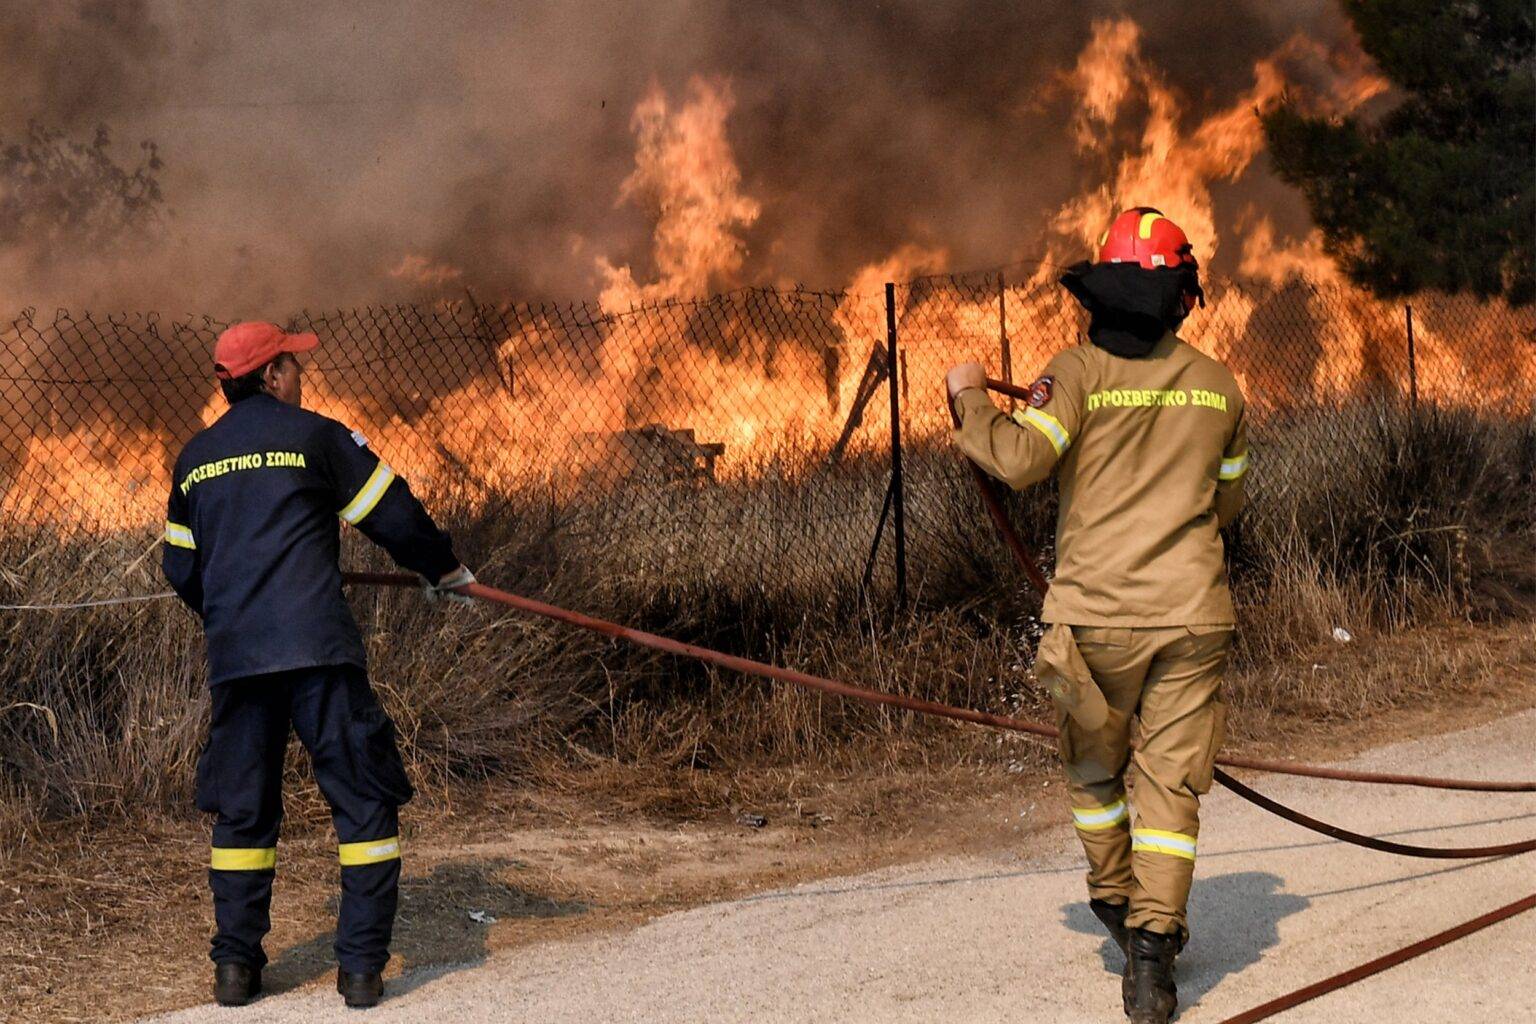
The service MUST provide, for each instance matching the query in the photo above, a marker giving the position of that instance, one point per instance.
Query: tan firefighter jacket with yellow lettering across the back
(1150, 455)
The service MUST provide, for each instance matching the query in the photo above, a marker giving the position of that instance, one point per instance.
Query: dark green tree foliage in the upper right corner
(1438, 194)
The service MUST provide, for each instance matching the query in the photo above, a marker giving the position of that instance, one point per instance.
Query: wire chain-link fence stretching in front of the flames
(744, 435)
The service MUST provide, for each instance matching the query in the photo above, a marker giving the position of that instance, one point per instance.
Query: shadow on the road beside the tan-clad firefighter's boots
(1234, 920)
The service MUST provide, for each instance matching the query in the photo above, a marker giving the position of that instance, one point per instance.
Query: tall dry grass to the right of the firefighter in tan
(1415, 517)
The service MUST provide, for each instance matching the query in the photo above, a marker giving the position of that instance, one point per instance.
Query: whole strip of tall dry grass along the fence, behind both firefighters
(1428, 521)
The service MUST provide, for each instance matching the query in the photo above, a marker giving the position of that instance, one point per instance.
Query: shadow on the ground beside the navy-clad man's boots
(432, 930)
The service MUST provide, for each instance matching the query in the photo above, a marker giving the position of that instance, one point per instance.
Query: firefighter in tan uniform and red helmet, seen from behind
(1147, 437)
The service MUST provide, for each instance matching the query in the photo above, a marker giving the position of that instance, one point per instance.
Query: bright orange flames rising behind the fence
(766, 372)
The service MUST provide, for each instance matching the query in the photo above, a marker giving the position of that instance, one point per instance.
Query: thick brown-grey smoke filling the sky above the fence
(322, 156)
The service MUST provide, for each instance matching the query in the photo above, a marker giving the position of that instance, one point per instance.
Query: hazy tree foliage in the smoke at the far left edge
(64, 197)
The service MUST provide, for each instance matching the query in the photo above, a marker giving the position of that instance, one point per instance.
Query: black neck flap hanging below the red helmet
(1133, 308)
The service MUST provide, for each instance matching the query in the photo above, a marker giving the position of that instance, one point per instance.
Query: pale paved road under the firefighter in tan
(1008, 937)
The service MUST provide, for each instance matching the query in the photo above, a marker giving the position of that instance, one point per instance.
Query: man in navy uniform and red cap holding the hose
(253, 544)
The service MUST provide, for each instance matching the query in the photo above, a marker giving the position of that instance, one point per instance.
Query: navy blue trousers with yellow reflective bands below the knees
(240, 779)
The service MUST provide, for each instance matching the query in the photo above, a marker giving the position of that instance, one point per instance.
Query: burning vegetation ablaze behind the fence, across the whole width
(517, 394)
